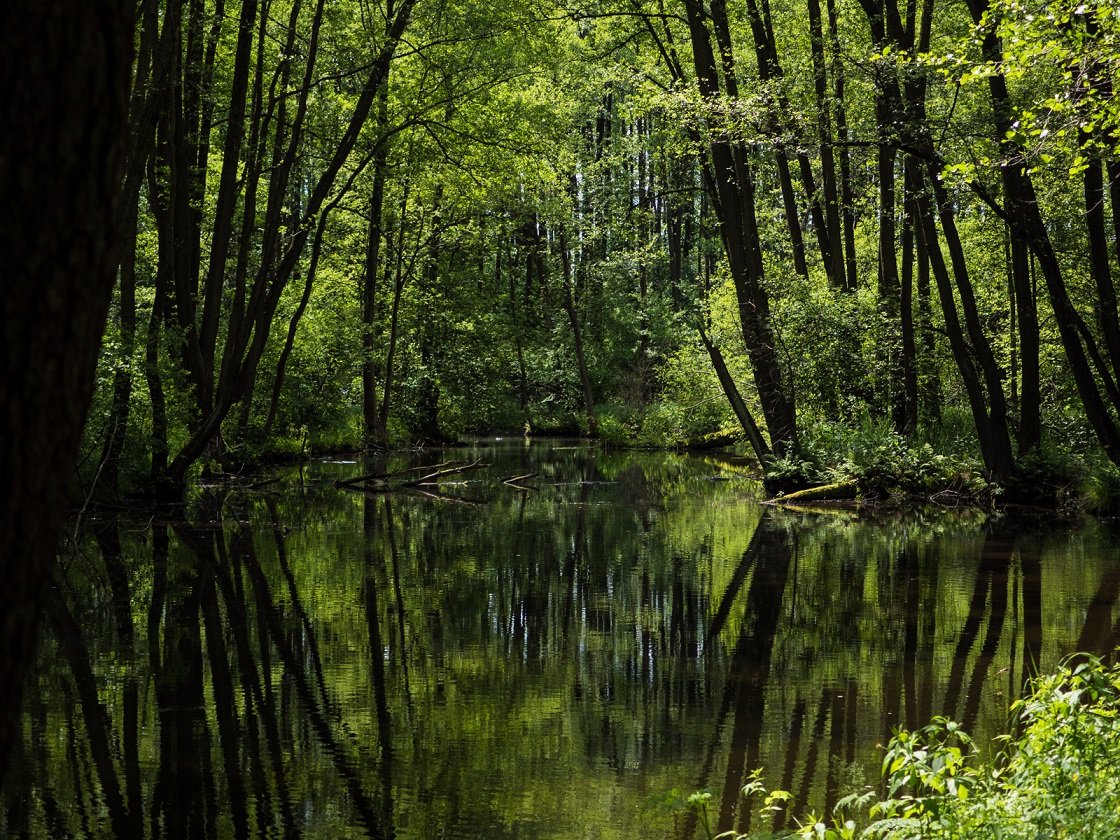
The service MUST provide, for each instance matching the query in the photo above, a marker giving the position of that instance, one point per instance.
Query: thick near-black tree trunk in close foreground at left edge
(67, 68)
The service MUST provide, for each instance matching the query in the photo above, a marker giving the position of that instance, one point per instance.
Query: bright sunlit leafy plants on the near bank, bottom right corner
(1057, 777)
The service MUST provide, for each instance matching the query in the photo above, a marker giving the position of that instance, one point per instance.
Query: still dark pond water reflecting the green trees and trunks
(483, 660)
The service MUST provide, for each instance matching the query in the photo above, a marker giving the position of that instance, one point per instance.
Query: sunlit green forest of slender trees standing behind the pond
(844, 235)
